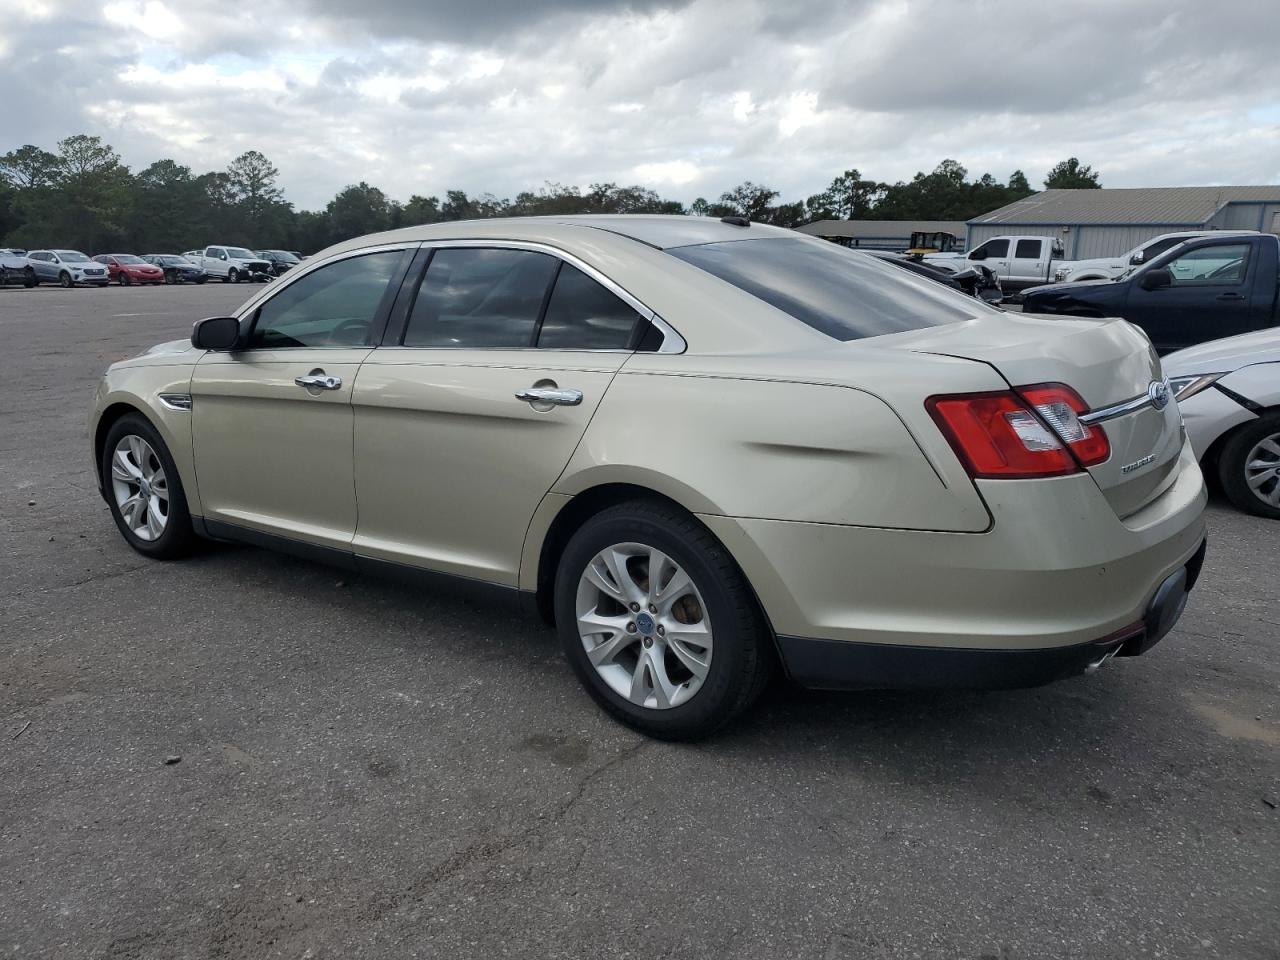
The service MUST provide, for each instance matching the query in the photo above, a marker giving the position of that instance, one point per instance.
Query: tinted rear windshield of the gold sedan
(836, 291)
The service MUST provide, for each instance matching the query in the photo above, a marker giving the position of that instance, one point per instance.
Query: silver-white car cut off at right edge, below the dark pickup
(1229, 394)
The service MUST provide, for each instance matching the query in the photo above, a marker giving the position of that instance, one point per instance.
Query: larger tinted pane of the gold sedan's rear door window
(481, 298)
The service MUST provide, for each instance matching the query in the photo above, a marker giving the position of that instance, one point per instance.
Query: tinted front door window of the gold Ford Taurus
(332, 307)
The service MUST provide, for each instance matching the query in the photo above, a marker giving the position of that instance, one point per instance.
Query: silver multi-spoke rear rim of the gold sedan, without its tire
(644, 625)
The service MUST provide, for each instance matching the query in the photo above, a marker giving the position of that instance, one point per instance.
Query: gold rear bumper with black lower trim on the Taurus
(1057, 573)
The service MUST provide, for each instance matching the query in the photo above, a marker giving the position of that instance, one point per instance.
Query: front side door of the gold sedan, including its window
(272, 423)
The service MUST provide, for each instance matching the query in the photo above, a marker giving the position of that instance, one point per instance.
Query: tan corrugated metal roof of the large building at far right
(1142, 205)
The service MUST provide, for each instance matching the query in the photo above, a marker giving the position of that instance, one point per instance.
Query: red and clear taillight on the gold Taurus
(1031, 433)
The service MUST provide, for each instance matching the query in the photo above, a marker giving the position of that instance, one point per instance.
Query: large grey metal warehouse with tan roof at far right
(1103, 223)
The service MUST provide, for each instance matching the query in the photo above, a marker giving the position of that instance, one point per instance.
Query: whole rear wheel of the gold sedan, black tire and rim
(660, 624)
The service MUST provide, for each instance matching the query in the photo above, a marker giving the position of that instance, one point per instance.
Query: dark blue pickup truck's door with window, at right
(1209, 299)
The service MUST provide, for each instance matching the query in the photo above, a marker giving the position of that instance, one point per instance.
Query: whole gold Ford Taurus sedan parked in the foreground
(705, 450)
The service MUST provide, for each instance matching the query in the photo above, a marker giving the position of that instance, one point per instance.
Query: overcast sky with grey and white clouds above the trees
(418, 97)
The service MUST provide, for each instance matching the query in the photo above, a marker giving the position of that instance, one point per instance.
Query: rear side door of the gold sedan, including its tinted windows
(469, 415)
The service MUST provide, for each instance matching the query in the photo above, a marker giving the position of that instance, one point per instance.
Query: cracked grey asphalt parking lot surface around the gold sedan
(368, 770)
